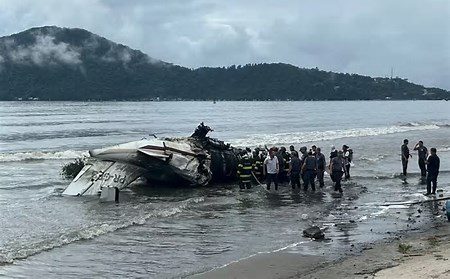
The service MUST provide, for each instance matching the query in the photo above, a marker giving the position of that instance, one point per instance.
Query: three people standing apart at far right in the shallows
(428, 163)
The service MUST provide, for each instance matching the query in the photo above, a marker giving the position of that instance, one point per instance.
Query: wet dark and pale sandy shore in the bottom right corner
(424, 254)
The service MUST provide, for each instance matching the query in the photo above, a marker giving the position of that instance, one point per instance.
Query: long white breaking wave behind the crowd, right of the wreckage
(314, 136)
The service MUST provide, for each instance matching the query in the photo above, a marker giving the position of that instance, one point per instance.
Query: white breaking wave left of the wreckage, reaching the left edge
(42, 155)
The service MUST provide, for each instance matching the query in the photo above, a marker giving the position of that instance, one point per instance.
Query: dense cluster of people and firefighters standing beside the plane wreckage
(279, 165)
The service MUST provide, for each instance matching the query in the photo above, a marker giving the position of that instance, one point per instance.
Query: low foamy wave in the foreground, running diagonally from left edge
(20, 251)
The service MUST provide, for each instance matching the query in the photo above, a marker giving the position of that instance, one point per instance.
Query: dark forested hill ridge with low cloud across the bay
(52, 63)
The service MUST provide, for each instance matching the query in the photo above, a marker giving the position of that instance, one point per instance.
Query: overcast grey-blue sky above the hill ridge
(355, 36)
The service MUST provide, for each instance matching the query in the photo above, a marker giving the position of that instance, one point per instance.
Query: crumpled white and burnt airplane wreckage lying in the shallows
(196, 161)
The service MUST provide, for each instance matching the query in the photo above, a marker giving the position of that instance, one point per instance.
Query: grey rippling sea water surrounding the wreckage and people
(175, 232)
